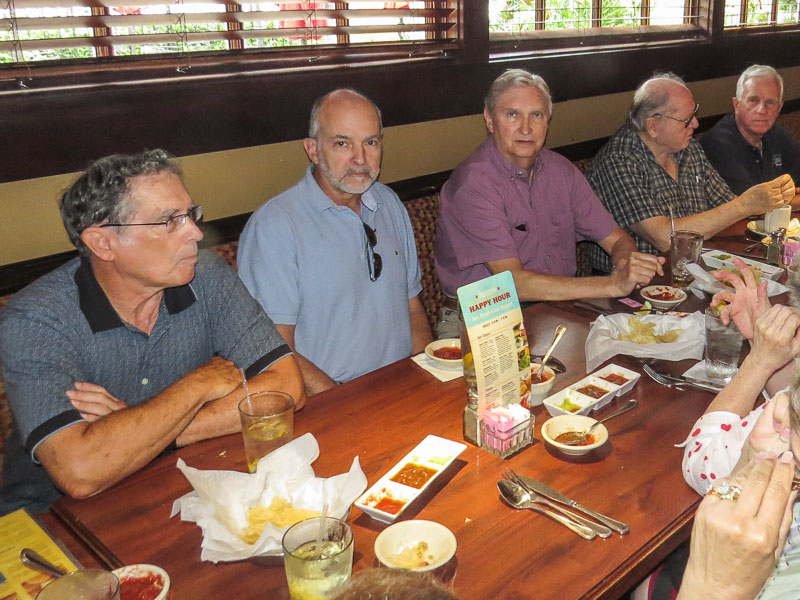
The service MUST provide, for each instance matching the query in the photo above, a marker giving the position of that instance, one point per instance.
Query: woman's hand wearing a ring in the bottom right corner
(736, 543)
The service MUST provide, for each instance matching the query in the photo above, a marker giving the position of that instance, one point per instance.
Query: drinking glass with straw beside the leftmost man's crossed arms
(267, 423)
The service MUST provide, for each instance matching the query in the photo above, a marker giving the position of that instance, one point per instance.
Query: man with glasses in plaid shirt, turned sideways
(652, 171)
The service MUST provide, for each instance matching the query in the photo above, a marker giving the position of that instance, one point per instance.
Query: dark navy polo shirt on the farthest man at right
(741, 165)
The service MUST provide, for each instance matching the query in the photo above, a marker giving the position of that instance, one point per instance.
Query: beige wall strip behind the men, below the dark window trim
(238, 181)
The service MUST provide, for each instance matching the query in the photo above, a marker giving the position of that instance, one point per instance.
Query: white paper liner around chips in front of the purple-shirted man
(601, 343)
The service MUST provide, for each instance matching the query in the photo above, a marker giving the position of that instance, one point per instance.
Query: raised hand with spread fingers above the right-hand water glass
(747, 302)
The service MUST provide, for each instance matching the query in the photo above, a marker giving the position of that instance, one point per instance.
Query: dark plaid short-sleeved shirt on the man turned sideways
(633, 186)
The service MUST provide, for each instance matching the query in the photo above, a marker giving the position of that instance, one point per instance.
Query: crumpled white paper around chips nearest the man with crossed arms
(220, 499)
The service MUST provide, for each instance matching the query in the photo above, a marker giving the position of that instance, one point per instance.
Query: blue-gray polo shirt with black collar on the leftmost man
(62, 329)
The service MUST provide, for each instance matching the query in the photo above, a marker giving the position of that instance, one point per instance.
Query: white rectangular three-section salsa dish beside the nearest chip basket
(433, 453)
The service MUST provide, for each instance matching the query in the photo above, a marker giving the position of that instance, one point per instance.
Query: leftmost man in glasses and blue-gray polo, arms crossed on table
(132, 348)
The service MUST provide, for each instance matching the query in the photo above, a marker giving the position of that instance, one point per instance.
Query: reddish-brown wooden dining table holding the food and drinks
(502, 553)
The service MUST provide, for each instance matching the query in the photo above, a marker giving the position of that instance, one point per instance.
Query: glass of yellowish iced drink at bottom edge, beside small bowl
(318, 557)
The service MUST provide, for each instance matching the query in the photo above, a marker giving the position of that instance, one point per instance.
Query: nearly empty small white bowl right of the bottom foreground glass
(407, 534)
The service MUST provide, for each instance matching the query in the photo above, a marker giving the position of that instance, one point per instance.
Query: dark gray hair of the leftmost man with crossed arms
(102, 193)
